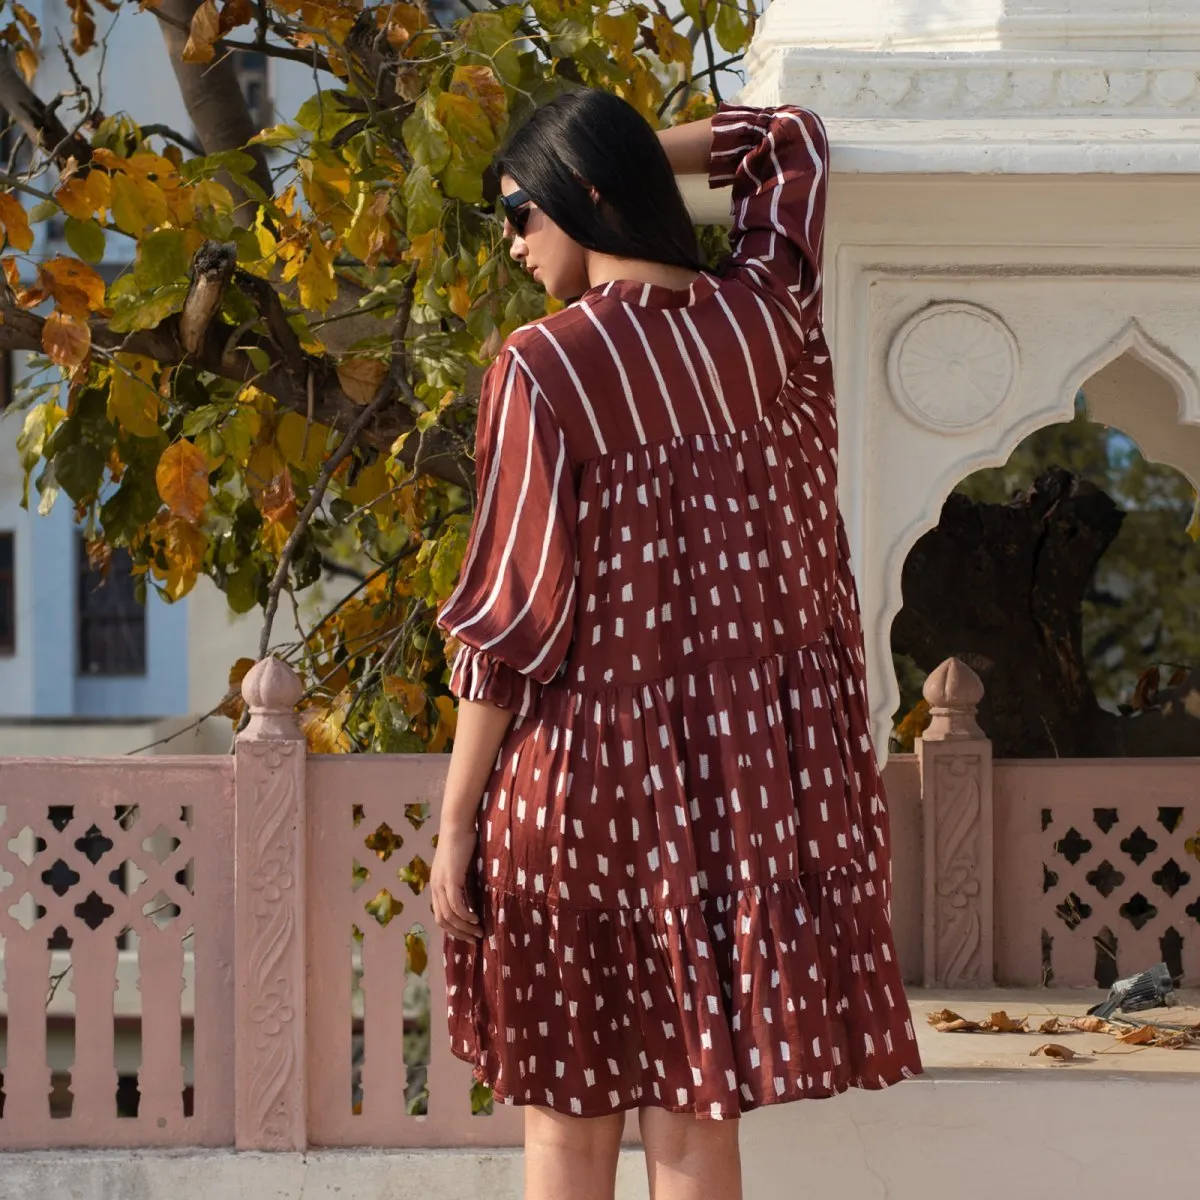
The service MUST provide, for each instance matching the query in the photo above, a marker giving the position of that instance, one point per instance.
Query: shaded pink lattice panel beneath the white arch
(1097, 871)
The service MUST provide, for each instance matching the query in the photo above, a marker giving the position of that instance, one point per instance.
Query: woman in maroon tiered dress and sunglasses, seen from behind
(663, 862)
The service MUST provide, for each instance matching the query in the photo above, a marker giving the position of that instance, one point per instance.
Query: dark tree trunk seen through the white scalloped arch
(1001, 586)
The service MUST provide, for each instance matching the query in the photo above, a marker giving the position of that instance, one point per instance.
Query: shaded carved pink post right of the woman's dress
(956, 785)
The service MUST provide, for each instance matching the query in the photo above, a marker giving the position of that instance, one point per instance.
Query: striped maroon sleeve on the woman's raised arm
(778, 161)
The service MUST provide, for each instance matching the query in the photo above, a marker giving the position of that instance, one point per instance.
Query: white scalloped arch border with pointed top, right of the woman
(1132, 383)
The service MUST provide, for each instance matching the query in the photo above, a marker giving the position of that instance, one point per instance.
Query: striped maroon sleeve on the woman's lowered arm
(514, 607)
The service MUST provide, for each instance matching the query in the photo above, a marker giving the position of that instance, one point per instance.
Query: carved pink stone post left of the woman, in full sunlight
(269, 969)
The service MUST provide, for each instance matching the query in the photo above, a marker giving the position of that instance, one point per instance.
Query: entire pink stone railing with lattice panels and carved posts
(241, 951)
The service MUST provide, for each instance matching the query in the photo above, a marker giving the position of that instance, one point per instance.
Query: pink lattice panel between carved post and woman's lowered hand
(380, 1064)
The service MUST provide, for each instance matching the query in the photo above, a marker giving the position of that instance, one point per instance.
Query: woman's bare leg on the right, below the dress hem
(688, 1159)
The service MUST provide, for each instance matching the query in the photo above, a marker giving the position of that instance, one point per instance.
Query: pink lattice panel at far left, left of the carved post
(117, 928)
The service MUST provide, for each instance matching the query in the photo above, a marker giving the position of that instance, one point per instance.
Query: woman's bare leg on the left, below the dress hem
(572, 1159)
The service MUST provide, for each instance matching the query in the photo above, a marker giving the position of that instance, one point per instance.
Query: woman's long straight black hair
(585, 140)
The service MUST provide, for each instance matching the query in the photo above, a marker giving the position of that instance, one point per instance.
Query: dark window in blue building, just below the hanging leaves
(112, 621)
